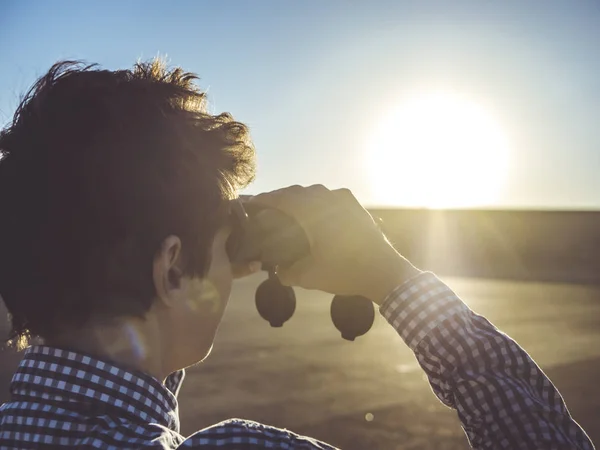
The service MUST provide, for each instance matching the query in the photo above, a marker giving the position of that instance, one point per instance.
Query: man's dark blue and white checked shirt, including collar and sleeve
(62, 399)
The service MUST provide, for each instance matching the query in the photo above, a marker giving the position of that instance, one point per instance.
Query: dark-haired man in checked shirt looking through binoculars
(114, 192)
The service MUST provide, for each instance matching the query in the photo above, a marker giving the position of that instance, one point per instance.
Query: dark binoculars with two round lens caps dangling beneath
(277, 240)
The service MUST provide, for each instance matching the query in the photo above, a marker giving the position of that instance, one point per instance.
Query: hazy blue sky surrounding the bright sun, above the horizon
(313, 78)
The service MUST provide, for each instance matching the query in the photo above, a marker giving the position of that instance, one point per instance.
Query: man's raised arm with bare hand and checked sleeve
(502, 397)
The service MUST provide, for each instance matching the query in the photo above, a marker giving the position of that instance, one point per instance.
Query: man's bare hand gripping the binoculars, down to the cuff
(349, 253)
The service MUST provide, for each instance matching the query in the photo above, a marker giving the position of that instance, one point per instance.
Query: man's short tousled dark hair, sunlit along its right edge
(97, 167)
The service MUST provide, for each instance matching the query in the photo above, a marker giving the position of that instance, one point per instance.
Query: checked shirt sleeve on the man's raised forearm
(502, 397)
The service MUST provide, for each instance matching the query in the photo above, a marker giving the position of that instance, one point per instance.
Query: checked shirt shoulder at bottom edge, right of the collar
(250, 434)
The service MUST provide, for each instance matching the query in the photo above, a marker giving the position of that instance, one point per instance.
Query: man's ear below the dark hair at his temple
(165, 271)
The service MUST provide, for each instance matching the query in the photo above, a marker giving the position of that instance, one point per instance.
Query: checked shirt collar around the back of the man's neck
(52, 375)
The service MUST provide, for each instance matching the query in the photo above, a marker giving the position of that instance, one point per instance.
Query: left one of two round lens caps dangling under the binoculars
(275, 302)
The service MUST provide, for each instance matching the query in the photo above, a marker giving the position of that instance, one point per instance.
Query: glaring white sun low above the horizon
(437, 150)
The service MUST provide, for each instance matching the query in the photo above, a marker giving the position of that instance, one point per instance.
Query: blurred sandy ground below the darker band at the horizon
(306, 378)
